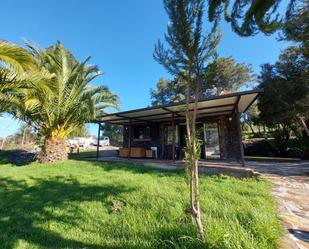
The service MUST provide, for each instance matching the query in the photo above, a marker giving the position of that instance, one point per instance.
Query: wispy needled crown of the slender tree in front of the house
(189, 49)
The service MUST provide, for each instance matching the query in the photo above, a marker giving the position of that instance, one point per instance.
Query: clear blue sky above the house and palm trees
(119, 35)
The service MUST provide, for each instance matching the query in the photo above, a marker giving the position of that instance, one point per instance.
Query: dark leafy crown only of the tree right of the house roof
(286, 88)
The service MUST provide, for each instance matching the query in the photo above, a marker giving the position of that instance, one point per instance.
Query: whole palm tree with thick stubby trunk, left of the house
(63, 99)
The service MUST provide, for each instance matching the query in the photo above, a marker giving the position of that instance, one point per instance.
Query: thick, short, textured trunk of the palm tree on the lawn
(54, 149)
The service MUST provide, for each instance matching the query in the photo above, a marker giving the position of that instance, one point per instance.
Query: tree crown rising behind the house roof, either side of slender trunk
(221, 74)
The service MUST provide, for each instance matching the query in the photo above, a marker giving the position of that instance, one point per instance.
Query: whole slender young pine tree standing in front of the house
(186, 56)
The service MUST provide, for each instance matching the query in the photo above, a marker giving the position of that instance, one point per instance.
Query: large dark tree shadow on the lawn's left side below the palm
(25, 208)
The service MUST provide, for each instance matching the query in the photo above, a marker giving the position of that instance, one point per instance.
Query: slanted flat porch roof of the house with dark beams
(225, 104)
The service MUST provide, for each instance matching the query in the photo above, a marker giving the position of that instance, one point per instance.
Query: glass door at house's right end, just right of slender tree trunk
(211, 141)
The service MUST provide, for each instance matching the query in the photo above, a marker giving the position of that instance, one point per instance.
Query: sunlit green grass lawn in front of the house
(79, 204)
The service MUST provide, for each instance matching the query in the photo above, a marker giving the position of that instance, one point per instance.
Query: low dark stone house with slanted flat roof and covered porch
(162, 128)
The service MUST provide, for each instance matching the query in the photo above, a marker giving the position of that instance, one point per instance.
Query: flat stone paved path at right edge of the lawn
(291, 188)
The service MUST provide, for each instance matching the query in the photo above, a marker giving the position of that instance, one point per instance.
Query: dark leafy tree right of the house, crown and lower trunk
(284, 104)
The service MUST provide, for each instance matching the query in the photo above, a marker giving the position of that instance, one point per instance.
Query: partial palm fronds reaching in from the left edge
(15, 63)
